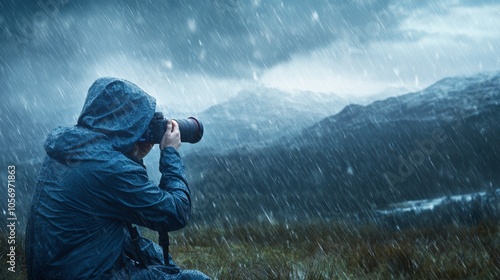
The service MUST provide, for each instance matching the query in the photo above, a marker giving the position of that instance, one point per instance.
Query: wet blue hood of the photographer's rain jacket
(116, 112)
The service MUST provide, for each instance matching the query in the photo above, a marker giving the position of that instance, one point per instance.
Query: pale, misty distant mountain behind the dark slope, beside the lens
(258, 116)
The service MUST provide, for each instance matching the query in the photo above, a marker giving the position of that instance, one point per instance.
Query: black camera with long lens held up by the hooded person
(191, 129)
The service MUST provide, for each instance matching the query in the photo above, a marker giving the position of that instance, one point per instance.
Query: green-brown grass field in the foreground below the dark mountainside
(329, 250)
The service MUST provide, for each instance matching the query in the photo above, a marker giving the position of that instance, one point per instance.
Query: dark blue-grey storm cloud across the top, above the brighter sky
(221, 38)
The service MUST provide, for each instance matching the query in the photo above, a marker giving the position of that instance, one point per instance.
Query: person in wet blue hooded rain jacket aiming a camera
(93, 185)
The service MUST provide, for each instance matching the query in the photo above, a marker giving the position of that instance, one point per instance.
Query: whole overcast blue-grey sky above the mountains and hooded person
(193, 54)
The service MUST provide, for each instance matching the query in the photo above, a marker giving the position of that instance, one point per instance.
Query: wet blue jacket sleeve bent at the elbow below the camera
(135, 199)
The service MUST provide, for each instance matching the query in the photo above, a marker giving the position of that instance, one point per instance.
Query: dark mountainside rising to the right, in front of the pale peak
(440, 141)
